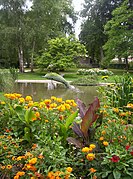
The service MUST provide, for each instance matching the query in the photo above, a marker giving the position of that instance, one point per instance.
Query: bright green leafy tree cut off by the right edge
(120, 33)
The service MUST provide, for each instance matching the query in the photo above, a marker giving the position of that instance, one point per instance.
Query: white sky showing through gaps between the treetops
(77, 4)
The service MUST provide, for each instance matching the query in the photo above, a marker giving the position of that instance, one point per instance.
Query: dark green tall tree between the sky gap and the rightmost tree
(96, 14)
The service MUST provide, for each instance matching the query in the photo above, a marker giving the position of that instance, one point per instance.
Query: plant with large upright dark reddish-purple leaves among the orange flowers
(86, 130)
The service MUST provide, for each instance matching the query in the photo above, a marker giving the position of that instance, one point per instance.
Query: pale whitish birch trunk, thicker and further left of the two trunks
(21, 59)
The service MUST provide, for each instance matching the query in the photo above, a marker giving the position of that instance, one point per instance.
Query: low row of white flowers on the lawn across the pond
(94, 71)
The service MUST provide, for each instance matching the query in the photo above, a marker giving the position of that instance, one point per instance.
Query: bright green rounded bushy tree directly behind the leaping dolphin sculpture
(61, 53)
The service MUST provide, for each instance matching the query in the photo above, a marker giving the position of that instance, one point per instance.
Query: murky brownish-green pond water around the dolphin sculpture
(40, 91)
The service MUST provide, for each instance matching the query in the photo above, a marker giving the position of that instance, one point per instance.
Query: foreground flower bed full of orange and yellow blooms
(57, 139)
